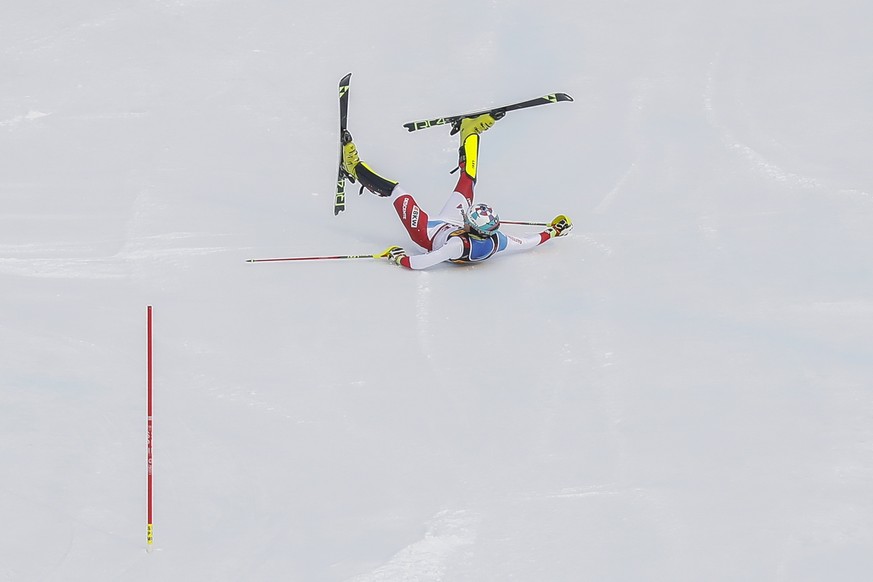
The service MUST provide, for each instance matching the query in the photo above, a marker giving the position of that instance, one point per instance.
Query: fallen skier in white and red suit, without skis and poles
(463, 232)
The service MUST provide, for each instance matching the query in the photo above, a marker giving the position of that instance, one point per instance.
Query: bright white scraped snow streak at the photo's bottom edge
(448, 532)
